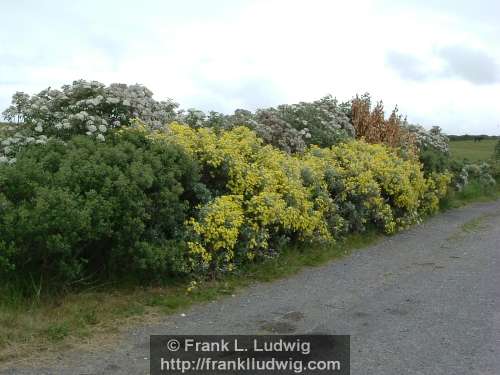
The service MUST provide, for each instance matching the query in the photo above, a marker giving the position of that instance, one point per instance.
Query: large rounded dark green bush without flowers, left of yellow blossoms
(88, 209)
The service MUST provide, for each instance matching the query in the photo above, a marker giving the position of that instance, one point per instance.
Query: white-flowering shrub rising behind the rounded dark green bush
(84, 107)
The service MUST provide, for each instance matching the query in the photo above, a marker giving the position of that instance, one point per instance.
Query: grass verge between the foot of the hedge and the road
(48, 324)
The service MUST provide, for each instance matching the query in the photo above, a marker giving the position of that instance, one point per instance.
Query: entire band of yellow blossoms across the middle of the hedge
(263, 192)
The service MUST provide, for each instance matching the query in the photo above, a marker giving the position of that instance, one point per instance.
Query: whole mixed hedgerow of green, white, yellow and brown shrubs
(97, 182)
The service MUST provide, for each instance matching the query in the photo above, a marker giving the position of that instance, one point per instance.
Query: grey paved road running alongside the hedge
(424, 301)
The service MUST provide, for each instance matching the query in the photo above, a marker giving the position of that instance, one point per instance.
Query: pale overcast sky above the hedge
(438, 60)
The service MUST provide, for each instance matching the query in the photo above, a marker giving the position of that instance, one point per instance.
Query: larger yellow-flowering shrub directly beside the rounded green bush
(261, 195)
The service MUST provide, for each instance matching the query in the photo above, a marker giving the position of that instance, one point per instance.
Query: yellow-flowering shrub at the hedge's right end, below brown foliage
(372, 185)
